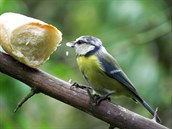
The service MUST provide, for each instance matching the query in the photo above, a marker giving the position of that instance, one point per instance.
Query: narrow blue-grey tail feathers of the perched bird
(146, 105)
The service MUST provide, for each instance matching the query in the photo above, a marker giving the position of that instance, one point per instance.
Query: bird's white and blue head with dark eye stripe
(85, 45)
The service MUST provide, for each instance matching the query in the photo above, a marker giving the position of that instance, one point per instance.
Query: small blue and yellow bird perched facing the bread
(102, 71)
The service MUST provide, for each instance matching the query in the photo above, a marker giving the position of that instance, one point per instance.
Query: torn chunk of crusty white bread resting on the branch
(28, 40)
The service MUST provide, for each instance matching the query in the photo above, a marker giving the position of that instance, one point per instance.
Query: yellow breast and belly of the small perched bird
(91, 68)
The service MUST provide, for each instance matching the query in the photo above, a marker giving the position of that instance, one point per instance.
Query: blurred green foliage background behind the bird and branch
(137, 32)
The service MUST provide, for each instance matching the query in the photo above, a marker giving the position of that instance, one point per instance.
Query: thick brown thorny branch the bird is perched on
(115, 115)
